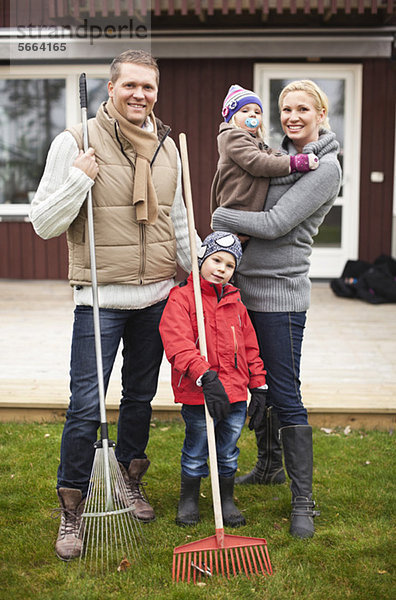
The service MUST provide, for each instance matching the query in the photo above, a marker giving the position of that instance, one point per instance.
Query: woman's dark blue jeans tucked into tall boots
(280, 336)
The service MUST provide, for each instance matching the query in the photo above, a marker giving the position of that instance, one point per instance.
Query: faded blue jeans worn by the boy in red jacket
(195, 448)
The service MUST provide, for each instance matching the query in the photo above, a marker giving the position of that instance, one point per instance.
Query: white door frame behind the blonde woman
(329, 262)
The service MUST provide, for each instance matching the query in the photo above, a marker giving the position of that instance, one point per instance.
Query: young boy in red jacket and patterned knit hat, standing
(233, 365)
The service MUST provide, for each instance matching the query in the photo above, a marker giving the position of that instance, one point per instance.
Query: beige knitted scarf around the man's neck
(145, 144)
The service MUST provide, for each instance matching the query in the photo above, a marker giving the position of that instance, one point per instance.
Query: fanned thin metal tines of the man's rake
(112, 536)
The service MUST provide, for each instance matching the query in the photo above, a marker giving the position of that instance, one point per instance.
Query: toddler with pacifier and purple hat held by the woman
(245, 162)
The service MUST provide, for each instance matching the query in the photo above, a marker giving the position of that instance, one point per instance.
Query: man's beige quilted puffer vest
(127, 252)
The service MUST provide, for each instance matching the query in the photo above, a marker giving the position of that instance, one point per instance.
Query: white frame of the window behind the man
(70, 73)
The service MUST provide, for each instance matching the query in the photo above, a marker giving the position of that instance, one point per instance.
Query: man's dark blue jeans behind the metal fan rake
(142, 356)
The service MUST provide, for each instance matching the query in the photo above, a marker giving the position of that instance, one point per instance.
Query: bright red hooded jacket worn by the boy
(231, 342)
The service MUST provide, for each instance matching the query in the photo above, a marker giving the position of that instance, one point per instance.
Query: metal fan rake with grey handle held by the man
(111, 535)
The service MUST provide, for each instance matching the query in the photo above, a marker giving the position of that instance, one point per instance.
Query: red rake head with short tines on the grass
(235, 555)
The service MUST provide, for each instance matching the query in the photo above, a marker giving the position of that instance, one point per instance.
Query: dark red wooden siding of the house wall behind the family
(191, 94)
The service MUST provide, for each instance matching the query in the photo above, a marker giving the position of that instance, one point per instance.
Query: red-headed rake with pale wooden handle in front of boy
(220, 554)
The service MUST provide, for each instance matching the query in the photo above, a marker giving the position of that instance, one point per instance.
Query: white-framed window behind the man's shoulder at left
(36, 105)
